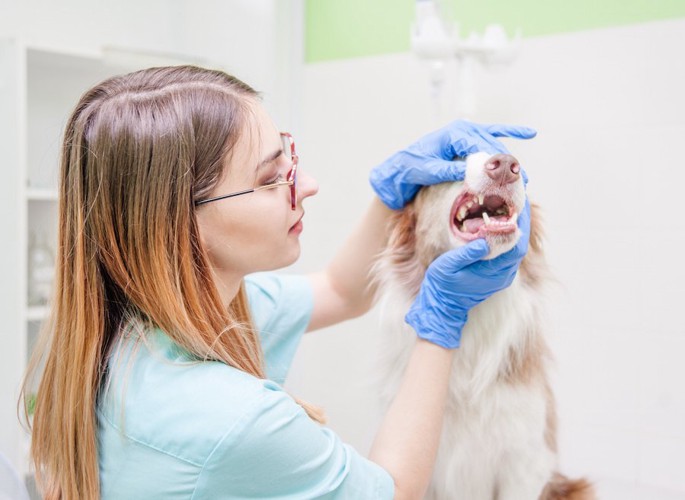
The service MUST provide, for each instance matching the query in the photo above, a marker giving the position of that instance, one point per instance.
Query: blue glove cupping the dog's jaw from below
(458, 280)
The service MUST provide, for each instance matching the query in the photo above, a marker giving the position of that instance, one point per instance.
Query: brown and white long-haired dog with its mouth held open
(499, 435)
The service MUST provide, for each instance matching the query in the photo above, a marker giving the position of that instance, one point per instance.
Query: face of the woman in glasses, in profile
(256, 231)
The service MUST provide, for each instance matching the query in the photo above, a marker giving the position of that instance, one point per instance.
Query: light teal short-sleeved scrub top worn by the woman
(171, 427)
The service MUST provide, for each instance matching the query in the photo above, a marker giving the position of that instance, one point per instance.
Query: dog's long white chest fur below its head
(495, 441)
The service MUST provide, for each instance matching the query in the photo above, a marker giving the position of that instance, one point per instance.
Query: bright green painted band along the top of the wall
(338, 29)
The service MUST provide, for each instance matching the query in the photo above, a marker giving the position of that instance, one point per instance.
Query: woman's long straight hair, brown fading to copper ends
(138, 150)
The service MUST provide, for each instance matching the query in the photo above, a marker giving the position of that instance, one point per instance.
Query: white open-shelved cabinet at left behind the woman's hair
(38, 89)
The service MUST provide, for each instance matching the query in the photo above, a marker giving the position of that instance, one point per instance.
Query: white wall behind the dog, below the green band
(606, 169)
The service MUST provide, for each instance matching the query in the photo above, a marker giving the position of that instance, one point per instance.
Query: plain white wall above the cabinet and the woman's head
(245, 37)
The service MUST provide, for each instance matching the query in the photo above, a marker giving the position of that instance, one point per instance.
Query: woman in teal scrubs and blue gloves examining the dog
(163, 359)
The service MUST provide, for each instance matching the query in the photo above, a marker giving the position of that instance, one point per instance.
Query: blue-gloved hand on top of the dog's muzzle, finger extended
(430, 160)
